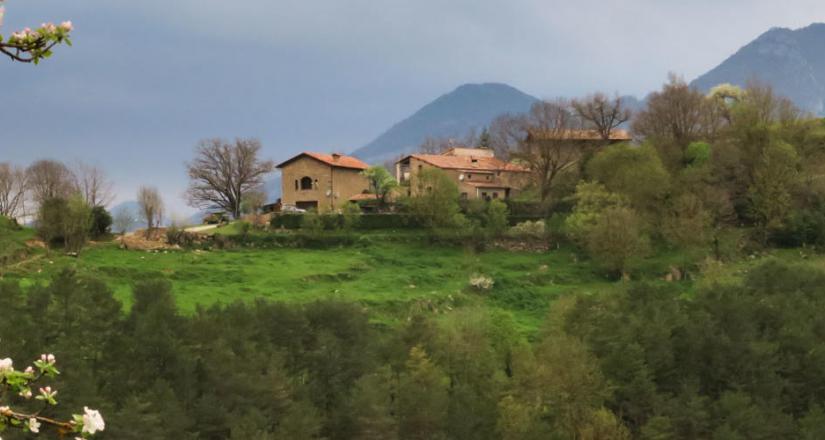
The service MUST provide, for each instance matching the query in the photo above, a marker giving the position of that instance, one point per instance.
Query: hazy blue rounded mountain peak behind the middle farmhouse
(469, 107)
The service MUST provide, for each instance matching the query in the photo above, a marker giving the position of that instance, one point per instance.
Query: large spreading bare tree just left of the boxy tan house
(223, 172)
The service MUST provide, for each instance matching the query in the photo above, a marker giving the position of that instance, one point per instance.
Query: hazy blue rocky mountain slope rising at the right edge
(791, 61)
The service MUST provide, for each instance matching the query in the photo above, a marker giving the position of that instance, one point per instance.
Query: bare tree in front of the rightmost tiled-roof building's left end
(553, 145)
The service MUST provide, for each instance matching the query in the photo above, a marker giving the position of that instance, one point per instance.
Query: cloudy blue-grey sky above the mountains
(145, 80)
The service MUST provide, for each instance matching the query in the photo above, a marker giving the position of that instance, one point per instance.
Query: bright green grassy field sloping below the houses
(391, 278)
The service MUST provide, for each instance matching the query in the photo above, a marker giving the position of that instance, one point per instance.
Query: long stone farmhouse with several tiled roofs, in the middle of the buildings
(476, 171)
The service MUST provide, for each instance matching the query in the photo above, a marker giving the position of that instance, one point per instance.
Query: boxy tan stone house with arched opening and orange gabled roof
(323, 182)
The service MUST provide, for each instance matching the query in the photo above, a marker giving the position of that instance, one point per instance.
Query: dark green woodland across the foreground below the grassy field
(742, 361)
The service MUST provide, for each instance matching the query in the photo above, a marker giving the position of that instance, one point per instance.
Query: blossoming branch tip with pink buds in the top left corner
(31, 46)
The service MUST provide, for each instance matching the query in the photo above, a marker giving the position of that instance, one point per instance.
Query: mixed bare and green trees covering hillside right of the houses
(731, 171)
